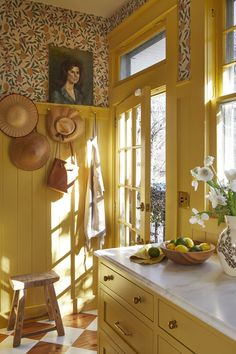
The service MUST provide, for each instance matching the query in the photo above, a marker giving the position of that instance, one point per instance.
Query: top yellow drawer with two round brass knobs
(135, 296)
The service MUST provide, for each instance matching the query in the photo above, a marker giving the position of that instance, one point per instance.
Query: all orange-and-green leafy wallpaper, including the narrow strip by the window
(28, 28)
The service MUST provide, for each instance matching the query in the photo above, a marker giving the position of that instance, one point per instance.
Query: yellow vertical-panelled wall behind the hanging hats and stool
(37, 225)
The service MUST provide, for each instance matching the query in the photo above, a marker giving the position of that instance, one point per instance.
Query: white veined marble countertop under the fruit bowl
(202, 290)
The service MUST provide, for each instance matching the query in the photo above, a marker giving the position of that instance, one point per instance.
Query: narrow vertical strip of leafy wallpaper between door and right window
(184, 40)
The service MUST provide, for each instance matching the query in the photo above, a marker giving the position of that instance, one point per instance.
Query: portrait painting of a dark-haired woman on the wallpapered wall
(70, 76)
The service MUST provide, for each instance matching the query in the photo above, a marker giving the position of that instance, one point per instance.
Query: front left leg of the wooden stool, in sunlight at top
(19, 318)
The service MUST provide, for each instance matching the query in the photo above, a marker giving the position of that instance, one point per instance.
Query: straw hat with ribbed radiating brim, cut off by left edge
(18, 115)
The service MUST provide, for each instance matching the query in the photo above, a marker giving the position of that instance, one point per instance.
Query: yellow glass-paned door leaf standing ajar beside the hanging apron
(133, 169)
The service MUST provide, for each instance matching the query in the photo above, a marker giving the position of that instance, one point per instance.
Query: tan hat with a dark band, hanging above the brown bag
(64, 124)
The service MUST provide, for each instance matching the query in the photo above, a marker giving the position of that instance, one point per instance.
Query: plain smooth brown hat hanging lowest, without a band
(30, 152)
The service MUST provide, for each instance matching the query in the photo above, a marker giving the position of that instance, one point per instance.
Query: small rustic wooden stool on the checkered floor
(20, 284)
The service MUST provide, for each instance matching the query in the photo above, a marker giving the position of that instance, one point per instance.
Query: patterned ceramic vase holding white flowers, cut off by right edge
(226, 246)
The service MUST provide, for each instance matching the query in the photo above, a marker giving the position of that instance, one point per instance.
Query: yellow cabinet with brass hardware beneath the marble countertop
(141, 321)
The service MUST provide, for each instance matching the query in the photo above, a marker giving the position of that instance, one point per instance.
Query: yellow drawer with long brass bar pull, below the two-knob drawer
(116, 320)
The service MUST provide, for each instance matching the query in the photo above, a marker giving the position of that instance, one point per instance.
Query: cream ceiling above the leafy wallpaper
(104, 8)
